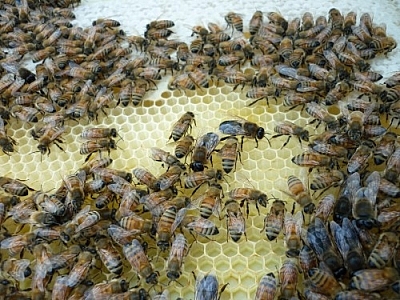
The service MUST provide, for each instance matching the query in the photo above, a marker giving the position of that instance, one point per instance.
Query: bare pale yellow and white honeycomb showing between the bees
(265, 167)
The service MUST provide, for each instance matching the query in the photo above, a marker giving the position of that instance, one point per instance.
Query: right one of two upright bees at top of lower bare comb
(273, 221)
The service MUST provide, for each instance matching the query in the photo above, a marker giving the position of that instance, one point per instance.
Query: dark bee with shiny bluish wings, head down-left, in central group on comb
(202, 151)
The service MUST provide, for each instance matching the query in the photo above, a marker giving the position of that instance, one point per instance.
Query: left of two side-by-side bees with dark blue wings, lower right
(320, 241)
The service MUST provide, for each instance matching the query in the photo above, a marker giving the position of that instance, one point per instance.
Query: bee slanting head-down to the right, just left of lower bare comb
(139, 261)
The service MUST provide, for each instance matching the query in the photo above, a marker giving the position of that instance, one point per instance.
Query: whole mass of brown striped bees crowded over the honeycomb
(98, 219)
